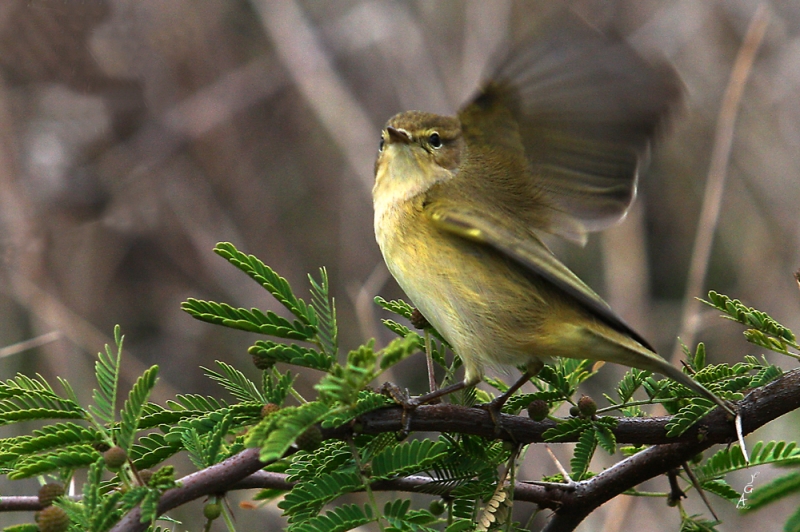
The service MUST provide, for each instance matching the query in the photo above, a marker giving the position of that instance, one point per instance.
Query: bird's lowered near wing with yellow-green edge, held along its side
(532, 255)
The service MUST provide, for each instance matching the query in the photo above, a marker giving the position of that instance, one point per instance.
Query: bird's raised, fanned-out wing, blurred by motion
(585, 106)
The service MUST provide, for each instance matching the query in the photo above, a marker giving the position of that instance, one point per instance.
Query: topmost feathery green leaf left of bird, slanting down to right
(271, 281)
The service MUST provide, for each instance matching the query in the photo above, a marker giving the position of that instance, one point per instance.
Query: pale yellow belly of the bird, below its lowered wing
(483, 304)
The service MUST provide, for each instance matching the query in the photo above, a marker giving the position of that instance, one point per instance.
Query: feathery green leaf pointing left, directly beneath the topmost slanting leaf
(252, 320)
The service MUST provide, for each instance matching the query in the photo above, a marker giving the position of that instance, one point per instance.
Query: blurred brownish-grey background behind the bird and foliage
(135, 134)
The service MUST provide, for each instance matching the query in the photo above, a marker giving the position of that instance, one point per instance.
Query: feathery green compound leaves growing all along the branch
(470, 478)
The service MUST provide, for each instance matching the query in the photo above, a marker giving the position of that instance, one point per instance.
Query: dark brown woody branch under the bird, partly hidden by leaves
(757, 409)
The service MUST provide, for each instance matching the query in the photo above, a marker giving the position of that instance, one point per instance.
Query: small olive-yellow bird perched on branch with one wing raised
(551, 143)
